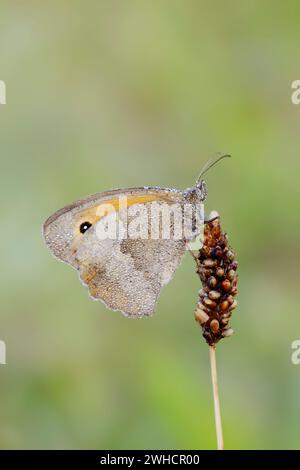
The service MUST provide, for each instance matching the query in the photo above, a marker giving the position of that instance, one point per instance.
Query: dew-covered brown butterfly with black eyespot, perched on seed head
(122, 248)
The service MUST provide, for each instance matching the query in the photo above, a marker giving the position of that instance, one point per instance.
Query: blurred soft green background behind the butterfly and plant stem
(106, 94)
